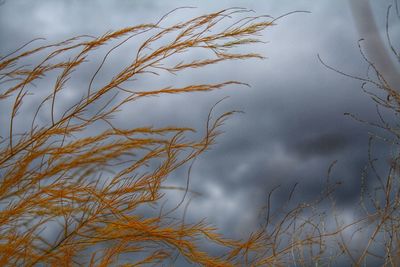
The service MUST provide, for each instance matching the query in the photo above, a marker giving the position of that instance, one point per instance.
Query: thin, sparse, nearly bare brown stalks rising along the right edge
(378, 225)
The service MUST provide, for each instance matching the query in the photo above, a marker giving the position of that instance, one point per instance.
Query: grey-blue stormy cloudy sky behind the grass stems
(293, 125)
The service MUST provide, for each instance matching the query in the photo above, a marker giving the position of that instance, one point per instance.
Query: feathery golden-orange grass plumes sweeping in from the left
(89, 189)
